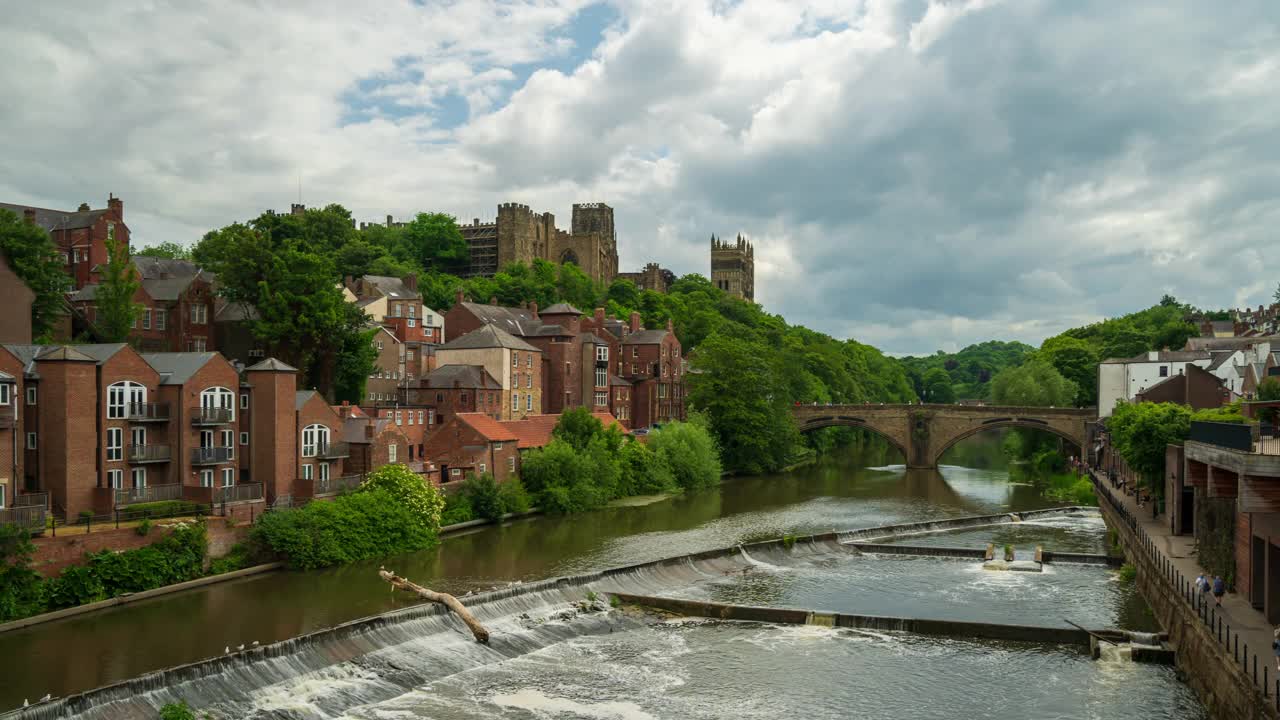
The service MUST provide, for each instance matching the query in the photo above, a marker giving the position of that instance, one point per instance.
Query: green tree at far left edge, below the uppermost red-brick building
(34, 258)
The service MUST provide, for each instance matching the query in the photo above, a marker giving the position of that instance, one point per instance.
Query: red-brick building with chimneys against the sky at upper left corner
(81, 235)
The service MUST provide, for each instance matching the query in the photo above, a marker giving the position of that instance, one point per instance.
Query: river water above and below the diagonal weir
(615, 666)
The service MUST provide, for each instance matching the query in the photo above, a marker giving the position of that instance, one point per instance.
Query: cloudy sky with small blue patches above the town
(917, 175)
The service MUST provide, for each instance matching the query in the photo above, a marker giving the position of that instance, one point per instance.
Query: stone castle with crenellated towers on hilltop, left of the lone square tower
(519, 235)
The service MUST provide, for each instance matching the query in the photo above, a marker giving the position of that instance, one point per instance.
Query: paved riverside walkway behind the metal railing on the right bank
(1244, 631)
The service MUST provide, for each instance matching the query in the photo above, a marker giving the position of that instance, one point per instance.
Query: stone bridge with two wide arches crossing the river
(925, 432)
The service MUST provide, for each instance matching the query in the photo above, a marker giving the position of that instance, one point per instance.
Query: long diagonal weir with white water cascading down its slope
(386, 657)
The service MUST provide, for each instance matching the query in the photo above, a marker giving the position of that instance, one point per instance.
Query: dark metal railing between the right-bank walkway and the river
(1199, 601)
